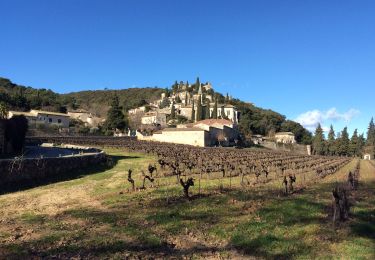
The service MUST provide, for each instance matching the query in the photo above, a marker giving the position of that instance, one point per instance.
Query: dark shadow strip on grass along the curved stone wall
(70, 175)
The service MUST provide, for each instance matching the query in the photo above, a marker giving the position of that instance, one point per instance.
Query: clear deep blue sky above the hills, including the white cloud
(312, 61)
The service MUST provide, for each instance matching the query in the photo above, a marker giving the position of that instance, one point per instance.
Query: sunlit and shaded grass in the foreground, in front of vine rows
(96, 216)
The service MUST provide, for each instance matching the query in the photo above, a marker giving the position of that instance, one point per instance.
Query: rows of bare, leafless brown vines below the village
(253, 167)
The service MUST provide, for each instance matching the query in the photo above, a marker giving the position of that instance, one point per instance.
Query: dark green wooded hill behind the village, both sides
(254, 120)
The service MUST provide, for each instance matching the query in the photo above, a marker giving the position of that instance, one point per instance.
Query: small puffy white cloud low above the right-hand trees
(311, 119)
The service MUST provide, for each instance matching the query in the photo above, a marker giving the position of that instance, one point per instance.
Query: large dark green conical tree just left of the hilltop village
(115, 117)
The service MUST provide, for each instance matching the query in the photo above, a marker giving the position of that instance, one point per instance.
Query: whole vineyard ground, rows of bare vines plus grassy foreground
(160, 201)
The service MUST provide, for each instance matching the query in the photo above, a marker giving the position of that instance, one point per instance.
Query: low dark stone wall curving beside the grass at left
(14, 171)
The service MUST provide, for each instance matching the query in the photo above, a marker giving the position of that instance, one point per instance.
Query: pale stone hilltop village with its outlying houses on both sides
(192, 114)
